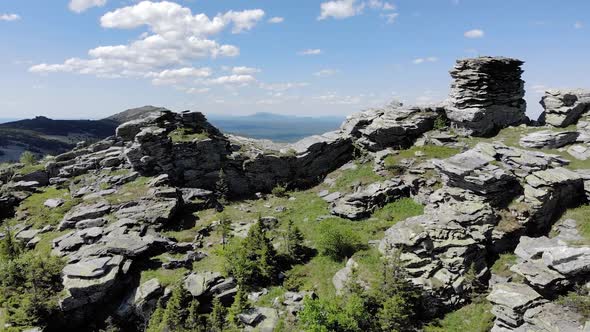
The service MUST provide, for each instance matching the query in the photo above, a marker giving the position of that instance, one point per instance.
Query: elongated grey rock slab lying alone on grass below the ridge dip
(363, 202)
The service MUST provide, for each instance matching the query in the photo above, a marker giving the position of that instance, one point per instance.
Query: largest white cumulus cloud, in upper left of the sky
(175, 37)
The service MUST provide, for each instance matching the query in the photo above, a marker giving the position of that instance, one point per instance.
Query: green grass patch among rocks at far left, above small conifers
(38, 214)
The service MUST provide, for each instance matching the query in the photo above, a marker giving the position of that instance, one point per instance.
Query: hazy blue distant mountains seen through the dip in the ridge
(276, 127)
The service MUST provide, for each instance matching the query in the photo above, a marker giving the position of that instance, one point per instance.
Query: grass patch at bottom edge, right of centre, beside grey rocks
(474, 317)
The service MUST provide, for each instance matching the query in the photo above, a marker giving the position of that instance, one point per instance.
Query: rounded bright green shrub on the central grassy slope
(338, 241)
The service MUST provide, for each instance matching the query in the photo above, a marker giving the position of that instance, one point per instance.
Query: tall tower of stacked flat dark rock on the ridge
(486, 95)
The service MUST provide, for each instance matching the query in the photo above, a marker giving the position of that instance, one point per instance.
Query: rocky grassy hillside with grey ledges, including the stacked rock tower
(484, 211)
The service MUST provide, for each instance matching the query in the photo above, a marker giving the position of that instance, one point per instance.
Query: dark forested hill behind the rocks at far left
(44, 136)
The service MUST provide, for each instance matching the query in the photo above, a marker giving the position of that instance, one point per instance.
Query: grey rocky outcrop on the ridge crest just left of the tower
(391, 126)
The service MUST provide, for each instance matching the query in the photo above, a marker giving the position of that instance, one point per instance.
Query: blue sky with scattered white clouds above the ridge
(88, 59)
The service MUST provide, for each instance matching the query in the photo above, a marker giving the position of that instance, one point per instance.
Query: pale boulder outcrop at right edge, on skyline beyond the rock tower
(564, 107)
